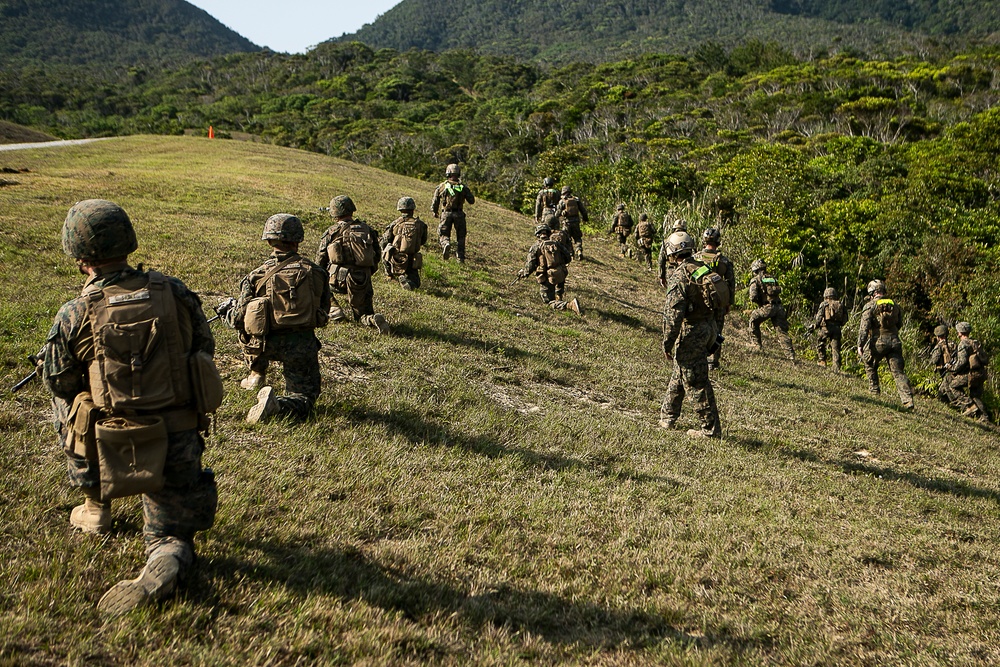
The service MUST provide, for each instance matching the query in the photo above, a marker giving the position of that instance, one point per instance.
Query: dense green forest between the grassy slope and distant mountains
(836, 169)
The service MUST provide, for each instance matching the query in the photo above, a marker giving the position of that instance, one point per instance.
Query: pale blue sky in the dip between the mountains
(293, 26)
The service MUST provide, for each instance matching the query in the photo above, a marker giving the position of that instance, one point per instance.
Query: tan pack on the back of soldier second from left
(289, 288)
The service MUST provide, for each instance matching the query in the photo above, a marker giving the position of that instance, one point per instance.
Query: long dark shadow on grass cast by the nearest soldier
(349, 575)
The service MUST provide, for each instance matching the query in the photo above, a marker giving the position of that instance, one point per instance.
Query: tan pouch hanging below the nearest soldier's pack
(132, 453)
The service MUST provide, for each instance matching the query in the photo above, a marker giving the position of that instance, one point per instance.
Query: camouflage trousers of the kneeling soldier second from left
(298, 353)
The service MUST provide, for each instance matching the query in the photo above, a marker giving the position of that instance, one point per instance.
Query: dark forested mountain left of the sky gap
(111, 32)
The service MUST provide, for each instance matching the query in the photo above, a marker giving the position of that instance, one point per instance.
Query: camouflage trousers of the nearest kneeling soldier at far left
(171, 516)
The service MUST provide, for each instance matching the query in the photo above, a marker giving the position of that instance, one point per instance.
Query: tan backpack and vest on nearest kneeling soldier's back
(140, 351)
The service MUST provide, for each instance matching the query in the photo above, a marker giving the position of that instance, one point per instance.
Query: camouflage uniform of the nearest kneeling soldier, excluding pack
(188, 500)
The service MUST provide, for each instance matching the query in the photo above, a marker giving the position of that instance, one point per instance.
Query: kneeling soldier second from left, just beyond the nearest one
(280, 305)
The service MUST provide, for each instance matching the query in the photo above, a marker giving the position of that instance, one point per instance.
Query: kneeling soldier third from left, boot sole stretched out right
(348, 251)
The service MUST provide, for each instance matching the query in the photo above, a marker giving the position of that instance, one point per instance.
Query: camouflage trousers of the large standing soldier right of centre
(690, 377)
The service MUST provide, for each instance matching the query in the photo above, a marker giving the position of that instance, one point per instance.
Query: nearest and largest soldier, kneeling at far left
(129, 365)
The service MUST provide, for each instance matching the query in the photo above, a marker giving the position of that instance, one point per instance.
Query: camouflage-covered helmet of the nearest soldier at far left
(96, 229)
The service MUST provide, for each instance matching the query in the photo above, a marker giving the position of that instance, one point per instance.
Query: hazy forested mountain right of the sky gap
(598, 30)
